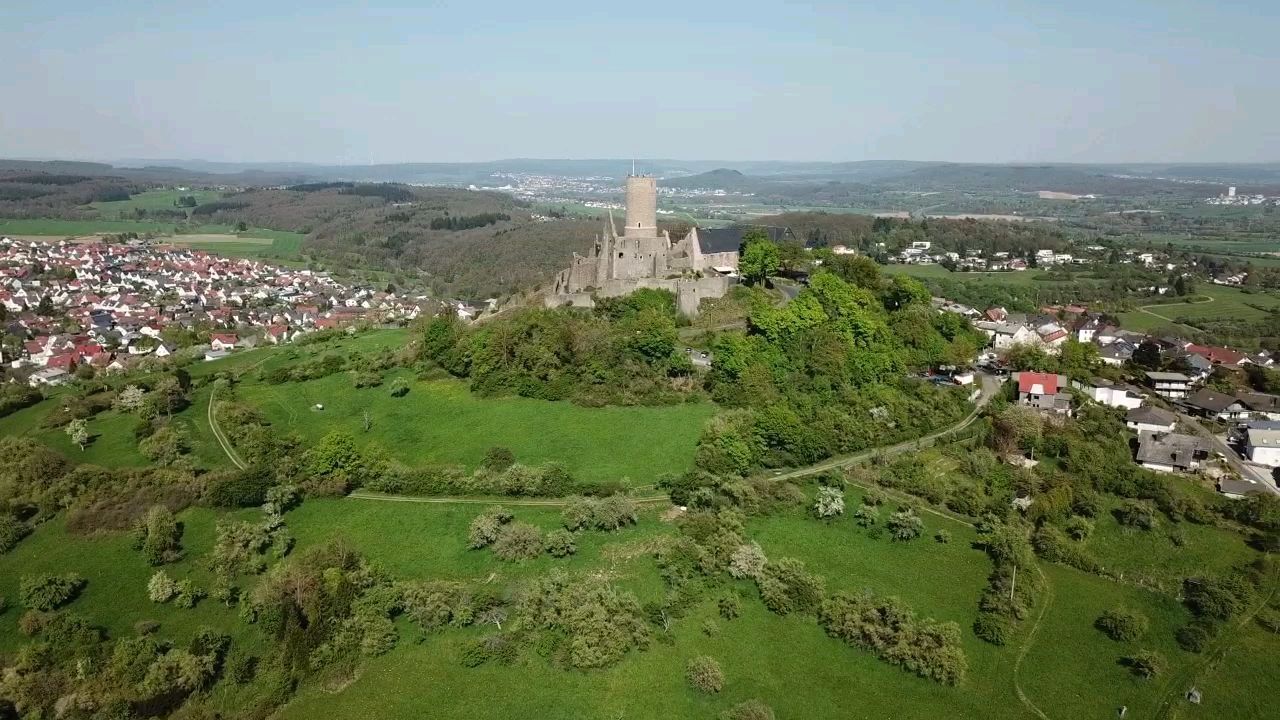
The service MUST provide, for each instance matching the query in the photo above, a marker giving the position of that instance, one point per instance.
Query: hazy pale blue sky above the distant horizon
(943, 80)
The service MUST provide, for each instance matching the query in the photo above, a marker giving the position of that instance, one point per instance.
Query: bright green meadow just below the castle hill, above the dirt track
(442, 422)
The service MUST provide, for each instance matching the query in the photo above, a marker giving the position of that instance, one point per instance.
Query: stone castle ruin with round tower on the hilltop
(643, 257)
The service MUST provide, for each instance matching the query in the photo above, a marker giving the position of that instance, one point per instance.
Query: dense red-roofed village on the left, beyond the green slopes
(108, 307)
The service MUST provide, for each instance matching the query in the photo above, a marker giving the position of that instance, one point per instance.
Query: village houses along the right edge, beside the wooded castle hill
(1188, 417)
